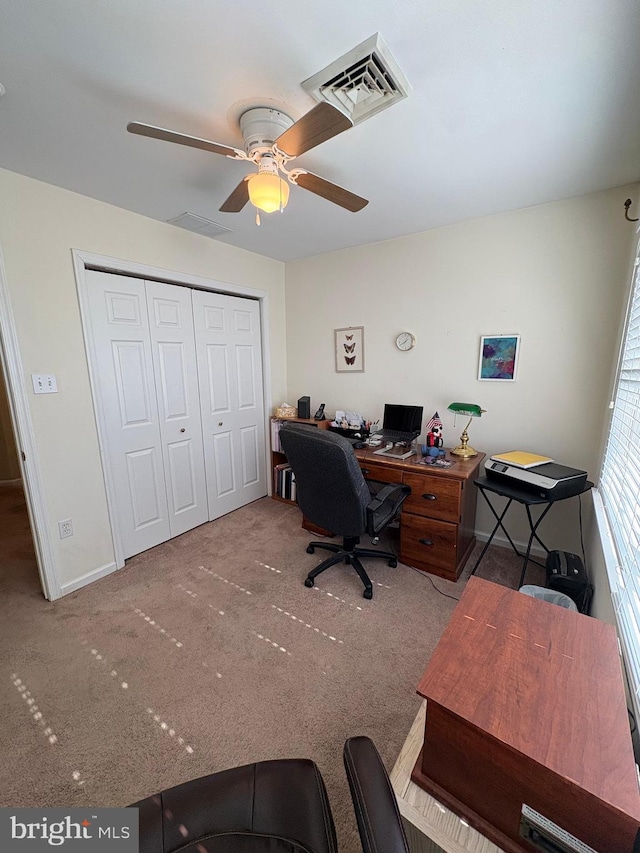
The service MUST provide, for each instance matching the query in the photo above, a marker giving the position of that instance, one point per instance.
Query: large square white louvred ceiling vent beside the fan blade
(364, 81)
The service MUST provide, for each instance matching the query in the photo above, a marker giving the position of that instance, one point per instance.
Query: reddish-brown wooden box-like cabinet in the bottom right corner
(526, 733)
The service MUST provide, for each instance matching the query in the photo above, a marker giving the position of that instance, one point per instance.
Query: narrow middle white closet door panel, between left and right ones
(173, 348)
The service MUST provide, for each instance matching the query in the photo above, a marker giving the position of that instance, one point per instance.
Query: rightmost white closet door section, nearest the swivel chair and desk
(228, 344)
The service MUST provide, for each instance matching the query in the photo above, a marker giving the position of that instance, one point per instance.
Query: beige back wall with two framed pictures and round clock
(554, 274)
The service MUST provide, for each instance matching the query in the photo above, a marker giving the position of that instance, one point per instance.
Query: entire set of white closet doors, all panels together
(147, 369)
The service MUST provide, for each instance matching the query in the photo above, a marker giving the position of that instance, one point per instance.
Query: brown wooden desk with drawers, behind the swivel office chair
(437, 523)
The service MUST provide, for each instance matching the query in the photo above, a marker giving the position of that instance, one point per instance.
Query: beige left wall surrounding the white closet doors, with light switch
(39, 225)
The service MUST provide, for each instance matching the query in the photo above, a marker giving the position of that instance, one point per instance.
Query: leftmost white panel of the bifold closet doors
(127, 401)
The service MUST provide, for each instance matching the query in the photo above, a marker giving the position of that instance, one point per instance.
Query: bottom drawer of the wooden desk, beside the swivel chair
(429, 545)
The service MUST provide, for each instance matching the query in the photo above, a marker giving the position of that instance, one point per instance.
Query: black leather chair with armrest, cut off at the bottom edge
(273, 807)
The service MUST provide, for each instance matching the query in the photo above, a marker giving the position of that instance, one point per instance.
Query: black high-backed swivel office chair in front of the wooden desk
(333, 493)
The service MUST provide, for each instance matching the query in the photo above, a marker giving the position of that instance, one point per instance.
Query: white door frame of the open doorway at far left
(25, 440)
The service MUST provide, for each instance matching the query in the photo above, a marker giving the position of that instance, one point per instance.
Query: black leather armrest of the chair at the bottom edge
(374, 801)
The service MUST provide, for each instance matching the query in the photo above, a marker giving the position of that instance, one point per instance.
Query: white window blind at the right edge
(620, 487)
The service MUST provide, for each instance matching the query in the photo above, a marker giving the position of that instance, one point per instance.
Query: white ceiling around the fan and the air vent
(513, 103)
